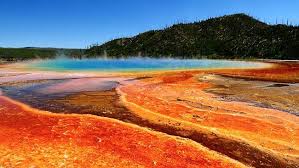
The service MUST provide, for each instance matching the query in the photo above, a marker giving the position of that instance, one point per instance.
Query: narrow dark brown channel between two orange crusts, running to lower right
(234, 148)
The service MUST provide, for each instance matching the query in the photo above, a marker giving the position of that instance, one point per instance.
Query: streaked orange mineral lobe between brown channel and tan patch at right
(179, 100)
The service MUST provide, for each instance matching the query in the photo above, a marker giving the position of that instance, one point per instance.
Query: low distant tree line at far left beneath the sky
(16, 54)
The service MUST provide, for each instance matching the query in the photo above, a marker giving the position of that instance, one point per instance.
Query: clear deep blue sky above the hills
(80, 23)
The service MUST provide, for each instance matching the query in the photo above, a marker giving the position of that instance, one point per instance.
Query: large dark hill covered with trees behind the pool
(231, 36)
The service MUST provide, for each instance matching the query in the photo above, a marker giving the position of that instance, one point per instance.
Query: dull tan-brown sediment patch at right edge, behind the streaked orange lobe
(279, 96)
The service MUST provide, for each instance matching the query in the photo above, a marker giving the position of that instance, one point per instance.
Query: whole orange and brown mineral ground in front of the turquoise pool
(230, 131)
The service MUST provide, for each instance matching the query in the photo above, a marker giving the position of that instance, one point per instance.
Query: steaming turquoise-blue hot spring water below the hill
(136, 64)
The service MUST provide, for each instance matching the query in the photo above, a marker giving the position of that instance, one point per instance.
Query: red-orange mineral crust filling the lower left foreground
(32, 138)
